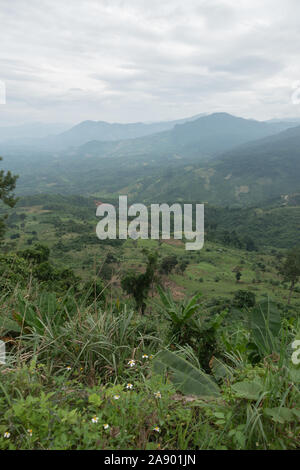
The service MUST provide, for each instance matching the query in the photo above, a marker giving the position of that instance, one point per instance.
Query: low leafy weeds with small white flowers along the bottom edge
(258, 408)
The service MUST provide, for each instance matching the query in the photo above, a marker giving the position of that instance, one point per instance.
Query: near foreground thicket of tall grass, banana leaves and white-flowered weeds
(88, 377)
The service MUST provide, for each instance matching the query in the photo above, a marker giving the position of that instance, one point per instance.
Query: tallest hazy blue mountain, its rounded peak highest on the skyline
(203, 137)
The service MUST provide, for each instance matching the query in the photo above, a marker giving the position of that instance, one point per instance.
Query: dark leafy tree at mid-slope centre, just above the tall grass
(138, 285)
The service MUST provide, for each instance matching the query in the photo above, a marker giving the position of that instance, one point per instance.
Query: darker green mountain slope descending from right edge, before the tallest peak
(249, 174)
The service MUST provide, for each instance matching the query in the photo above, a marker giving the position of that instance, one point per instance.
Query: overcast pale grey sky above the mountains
(148, 60)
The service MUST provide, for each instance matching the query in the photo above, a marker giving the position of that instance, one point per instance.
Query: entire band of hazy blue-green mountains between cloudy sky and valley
(216, 158)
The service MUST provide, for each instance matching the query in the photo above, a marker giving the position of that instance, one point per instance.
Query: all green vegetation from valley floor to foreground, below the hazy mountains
(139, 344)
